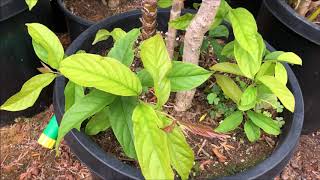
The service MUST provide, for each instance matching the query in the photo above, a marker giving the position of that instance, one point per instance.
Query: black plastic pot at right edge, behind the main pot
(282, 27)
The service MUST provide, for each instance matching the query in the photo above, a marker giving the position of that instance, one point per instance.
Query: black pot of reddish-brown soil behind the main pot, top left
(82, 14)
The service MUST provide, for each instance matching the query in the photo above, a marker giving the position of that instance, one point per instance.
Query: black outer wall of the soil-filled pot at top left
(76, 24)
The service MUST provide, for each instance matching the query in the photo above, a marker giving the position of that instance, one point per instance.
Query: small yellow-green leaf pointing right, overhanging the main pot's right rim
(289, 57)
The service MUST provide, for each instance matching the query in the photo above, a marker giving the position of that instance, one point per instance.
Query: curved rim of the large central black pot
(276, 158)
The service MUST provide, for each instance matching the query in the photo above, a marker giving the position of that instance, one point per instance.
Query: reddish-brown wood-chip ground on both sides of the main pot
(22, 158)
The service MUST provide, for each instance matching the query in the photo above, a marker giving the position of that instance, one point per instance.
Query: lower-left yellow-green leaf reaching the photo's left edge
(29, 93)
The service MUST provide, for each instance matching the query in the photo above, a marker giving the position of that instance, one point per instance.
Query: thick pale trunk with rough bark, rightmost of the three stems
(192, 43)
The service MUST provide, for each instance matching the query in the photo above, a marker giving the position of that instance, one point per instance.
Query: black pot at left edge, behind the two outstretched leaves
(18, 61)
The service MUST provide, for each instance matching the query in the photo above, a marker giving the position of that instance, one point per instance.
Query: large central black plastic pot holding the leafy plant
(106, 166)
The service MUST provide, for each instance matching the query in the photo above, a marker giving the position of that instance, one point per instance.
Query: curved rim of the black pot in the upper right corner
(298, 24)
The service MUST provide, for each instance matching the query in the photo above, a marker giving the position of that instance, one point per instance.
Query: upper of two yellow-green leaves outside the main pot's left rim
(46, 44)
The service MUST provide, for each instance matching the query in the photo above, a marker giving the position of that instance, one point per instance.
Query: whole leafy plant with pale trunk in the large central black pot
(116, 92)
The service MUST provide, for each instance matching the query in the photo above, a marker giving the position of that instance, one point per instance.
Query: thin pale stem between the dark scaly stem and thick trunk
(175, 12)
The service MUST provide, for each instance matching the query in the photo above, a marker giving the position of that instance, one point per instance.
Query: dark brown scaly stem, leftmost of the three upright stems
(149, 18)
